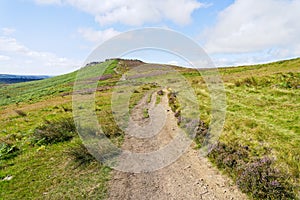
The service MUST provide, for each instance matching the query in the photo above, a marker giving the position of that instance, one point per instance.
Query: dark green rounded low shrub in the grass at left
(55, 131)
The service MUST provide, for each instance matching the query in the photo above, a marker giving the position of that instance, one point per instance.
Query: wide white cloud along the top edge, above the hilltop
(133, 12)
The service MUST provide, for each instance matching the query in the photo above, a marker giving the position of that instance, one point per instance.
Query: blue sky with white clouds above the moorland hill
(52, 37)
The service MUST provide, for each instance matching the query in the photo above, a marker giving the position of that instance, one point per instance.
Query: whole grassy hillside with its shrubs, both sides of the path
(41, 155)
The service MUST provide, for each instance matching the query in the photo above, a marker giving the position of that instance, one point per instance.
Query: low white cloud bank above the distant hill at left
(27, 61)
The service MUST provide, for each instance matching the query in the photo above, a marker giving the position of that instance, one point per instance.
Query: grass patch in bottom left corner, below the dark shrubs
(49, 174)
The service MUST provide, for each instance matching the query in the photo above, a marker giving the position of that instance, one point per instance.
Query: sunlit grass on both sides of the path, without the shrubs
(263, 104)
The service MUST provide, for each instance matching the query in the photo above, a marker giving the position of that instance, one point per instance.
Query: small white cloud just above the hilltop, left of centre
(92, 35)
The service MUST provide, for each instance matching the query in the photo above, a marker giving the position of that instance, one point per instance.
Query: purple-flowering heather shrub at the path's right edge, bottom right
(254, 176)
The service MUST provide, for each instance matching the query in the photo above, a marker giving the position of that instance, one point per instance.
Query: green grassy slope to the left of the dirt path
(46, 168)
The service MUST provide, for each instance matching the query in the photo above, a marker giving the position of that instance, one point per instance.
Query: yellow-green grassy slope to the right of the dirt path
(262, 115)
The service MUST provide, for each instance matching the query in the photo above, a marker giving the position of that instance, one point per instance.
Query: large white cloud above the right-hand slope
(252, 26)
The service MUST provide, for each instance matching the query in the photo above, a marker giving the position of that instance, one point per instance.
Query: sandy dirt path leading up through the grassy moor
(190, 177)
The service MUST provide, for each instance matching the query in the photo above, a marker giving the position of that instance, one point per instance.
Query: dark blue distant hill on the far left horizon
(8, 79)
